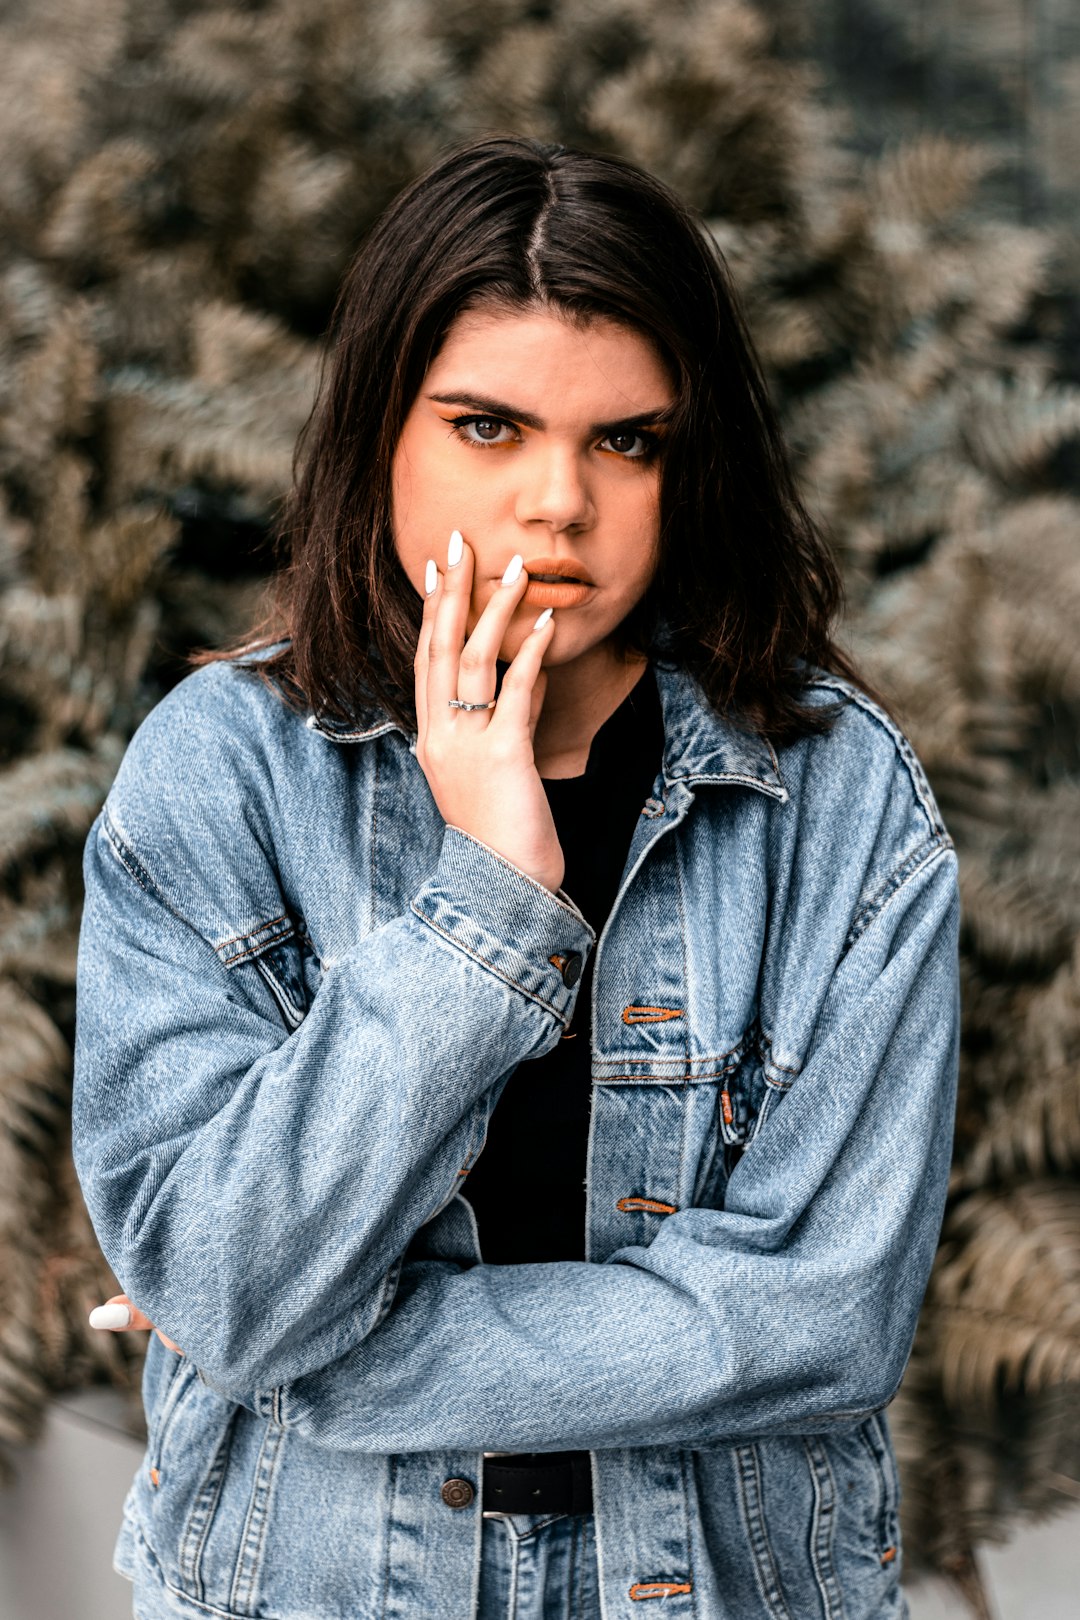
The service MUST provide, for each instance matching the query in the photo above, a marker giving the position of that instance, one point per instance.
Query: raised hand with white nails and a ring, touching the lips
(480, 764)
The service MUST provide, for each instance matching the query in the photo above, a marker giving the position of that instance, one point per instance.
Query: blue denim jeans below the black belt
(540, 1567)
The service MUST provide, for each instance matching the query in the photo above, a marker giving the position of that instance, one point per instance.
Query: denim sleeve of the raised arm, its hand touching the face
(255, 1190)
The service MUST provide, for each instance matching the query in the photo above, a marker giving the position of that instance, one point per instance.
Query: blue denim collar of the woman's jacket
(700, 746)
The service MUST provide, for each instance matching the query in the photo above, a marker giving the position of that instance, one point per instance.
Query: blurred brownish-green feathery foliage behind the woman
(181, 194)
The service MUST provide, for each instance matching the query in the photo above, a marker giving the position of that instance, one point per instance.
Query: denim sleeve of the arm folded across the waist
(791, 1308)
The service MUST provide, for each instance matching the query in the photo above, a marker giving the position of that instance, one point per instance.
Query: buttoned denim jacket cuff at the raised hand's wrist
(508, 923)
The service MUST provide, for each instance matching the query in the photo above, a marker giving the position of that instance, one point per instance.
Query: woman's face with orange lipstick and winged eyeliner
(537, 437)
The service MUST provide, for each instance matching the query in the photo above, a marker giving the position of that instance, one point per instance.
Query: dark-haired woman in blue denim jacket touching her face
(500, 1269)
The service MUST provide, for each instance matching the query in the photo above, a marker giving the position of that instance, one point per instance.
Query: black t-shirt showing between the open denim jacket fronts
(529, 1185)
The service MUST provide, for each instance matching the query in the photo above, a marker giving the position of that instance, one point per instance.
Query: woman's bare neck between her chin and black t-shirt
(579, 699)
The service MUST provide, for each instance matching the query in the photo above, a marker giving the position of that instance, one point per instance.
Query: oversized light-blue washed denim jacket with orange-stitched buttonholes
(300, 997)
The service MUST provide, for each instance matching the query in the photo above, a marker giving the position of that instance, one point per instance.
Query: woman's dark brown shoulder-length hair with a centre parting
(746, 587)
